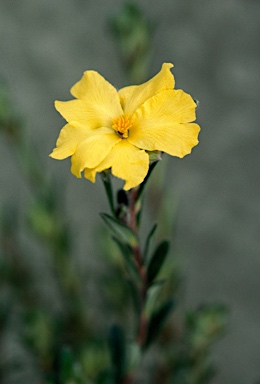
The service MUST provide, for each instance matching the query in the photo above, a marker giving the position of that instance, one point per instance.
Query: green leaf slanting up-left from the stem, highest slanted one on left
(123, 233)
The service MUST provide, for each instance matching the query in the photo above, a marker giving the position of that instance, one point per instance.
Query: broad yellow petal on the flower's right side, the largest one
(161, 123)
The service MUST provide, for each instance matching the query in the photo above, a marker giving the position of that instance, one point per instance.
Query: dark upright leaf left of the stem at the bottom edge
(118, 352)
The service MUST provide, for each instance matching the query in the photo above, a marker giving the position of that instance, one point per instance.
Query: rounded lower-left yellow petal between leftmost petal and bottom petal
(93, 150)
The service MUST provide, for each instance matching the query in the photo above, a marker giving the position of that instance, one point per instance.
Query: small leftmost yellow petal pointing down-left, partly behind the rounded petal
(69, 138)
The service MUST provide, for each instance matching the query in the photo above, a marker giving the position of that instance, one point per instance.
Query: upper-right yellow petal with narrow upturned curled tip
(134, 96)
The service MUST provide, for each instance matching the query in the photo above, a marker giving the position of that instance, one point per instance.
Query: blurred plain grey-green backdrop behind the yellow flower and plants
(46, 45)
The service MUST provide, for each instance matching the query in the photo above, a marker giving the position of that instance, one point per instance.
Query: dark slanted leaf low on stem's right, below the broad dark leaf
(157, 321)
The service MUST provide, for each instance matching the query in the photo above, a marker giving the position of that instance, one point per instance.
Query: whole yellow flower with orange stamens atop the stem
(110, 129)
